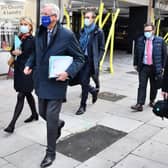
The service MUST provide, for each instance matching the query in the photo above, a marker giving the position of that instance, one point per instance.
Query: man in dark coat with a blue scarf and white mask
(92, 43)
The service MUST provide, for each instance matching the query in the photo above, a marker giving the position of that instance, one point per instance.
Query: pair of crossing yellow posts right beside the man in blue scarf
(110, 37)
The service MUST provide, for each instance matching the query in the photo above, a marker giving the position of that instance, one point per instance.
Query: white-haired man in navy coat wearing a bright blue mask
(52, 39)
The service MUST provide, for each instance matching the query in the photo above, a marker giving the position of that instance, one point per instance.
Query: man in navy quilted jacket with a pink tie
(149, 59)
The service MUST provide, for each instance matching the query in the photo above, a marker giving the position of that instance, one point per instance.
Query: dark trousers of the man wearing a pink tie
(147, 72)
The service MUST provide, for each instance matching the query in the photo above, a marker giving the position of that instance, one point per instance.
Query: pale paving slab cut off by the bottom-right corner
(133, 161)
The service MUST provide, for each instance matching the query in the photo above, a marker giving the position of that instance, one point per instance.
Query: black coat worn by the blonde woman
(22, 82)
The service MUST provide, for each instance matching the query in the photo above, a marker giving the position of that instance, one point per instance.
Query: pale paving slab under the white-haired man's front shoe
(32, 156)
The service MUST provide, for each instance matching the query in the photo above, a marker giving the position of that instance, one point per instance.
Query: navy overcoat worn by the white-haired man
(62, 43)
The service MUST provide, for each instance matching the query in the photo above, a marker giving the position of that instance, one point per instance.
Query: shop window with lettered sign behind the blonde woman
(10, 13)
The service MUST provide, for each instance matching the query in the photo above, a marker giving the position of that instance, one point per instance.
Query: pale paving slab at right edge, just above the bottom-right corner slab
(154, 151)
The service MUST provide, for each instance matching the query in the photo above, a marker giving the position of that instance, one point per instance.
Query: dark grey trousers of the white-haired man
(49, 111)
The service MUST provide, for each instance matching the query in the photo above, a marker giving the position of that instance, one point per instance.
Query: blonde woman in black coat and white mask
(23, 84)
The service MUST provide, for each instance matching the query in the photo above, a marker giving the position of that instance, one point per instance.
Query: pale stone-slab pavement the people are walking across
(145, 145)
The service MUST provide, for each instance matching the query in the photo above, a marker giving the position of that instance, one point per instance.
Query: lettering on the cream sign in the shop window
(12, 11)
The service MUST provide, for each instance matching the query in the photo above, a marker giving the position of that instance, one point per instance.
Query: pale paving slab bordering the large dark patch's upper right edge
(120, 123)
